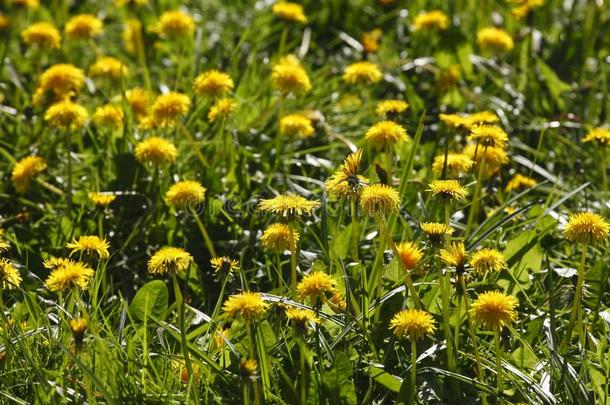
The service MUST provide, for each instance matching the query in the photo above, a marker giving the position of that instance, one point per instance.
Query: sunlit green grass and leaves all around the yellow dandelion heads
(548, 92)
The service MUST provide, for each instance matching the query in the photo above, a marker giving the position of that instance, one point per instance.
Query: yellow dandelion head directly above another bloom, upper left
(61, 79)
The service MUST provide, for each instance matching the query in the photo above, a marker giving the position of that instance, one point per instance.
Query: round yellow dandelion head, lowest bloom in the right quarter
(494, 310)
